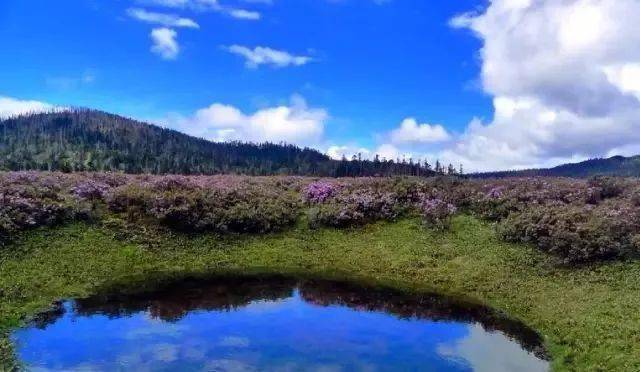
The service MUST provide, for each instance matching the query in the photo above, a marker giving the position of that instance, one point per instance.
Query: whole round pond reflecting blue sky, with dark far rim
(276, 324)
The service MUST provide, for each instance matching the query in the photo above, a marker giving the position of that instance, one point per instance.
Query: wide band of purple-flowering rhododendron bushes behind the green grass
(576, 220)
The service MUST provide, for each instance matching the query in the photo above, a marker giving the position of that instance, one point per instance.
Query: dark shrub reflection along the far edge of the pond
(171, 302)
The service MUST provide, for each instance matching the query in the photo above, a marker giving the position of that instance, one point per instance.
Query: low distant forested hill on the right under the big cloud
(614, 166)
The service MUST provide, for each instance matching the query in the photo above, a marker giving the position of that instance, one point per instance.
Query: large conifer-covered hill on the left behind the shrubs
(88, 140)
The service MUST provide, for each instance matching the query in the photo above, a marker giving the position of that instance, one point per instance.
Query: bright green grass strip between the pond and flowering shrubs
(590, 316)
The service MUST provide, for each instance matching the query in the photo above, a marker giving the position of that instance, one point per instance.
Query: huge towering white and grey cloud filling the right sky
(565, 76)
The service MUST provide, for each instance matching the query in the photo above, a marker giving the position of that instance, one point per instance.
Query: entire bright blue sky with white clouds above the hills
(397, 77)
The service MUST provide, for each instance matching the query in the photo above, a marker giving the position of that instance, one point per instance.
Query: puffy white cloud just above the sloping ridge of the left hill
(295, 123)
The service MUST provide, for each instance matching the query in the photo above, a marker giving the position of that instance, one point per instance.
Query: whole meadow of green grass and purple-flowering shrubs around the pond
(558, 254)
